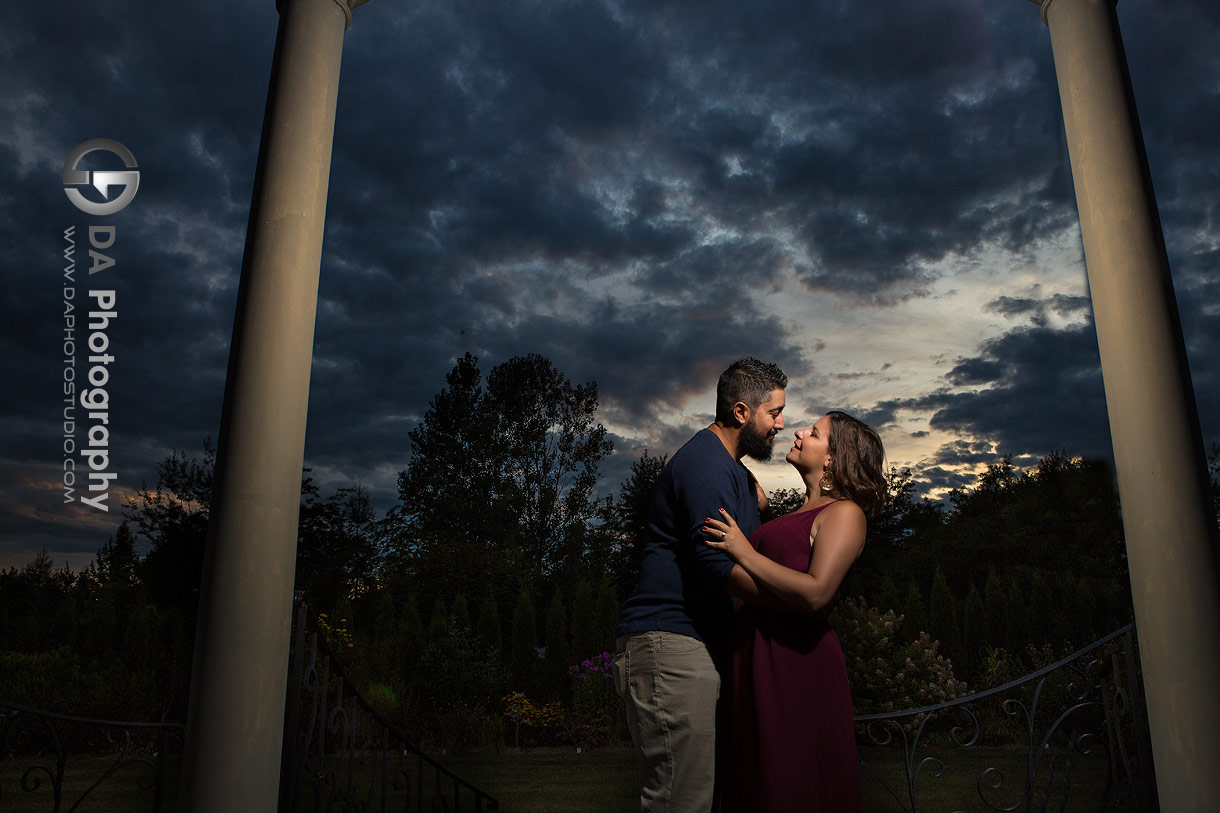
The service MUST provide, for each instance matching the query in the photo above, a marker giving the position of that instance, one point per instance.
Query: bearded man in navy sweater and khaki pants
(674, 632)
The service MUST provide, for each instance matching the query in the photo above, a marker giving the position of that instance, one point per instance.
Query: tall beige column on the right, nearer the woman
(1158, 447)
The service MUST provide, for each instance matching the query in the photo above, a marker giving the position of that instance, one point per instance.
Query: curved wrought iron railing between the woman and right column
(1088, 705)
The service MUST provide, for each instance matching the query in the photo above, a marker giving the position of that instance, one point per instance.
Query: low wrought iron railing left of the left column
(45, 750)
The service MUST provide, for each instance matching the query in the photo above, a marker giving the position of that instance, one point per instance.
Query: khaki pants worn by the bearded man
(670, 685)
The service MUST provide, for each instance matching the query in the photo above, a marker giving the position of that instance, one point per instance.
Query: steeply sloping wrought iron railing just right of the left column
(341, 755)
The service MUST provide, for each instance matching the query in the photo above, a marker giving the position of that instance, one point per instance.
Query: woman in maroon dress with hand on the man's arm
(792, 738)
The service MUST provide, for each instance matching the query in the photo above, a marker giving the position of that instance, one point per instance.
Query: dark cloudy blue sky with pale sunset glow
(877, 197)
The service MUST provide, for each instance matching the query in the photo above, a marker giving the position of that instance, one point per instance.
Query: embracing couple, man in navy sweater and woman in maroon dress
(747, 711)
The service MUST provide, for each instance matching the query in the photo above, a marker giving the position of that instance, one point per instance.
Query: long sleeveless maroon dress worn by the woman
(792, 739)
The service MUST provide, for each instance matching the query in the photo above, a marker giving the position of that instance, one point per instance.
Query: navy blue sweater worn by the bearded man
(683, 582)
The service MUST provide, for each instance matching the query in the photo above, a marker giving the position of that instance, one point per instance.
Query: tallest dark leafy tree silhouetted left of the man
(529, 447)
